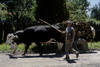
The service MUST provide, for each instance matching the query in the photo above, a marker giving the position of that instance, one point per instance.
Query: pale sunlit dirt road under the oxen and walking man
(89, 59)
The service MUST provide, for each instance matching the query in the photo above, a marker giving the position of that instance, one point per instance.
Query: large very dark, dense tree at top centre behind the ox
(52, 11)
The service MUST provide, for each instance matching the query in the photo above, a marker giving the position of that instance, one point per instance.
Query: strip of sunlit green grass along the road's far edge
(4, 47)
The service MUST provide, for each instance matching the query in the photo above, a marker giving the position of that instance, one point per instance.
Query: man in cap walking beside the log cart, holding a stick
(69, 39)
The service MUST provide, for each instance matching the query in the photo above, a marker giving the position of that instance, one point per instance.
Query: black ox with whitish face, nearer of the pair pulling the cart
(37, 34)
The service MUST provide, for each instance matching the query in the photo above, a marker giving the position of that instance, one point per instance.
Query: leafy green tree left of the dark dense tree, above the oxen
(20, 12)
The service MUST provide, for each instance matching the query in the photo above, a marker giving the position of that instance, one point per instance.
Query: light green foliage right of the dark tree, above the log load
(77, 9)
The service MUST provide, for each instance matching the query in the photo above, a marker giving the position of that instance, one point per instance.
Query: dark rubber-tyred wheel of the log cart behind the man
(81, 45)
